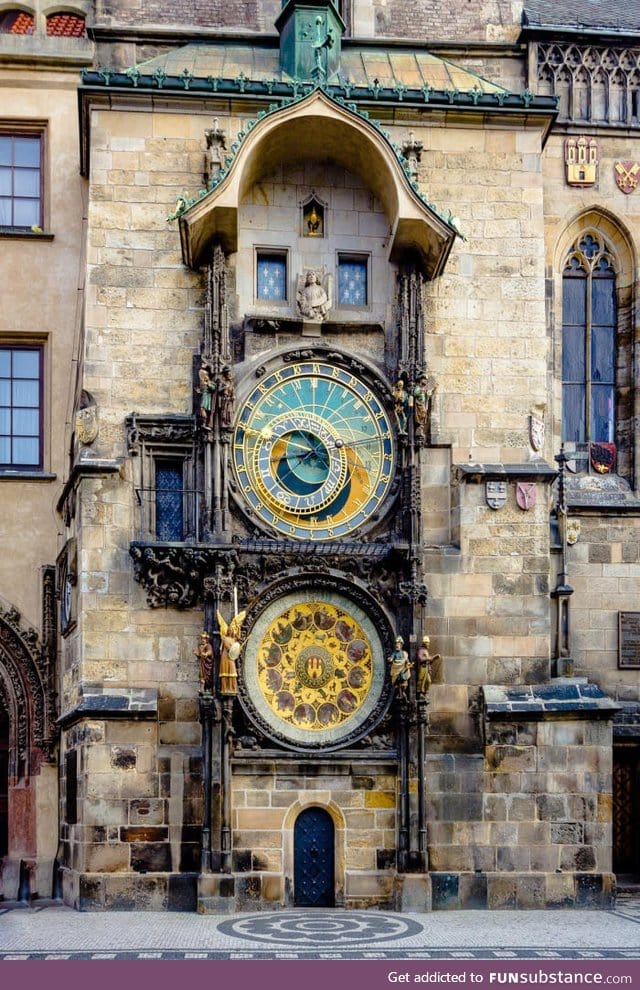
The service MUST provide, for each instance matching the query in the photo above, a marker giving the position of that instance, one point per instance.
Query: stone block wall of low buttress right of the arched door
(528, 824)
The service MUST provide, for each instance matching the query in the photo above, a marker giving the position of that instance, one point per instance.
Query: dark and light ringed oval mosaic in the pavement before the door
(327, 928)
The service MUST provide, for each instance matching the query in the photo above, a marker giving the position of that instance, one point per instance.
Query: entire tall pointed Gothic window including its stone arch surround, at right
(595, 348)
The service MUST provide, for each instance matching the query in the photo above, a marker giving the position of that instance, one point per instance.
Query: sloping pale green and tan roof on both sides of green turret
(371, 67)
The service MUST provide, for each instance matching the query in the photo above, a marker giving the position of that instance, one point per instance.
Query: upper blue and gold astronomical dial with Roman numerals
(313, 451)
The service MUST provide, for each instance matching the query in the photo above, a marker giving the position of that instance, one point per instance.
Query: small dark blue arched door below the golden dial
(314, 859)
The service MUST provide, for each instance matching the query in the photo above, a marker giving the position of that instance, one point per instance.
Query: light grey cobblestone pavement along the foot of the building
(52, 931)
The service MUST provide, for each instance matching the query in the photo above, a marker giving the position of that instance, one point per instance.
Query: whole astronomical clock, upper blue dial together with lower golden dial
(314, 456)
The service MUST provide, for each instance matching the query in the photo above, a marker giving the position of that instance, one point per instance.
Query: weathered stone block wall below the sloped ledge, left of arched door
(139, 812)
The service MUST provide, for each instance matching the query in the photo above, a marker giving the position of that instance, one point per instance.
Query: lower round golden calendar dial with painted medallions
(318, 670)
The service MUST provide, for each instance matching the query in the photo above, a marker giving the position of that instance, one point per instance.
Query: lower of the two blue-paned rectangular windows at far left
(21, 408)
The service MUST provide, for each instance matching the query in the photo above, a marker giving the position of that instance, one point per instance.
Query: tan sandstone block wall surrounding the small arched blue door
(361, 799)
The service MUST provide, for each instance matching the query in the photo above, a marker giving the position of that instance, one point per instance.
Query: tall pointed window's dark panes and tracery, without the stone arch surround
(589, 324)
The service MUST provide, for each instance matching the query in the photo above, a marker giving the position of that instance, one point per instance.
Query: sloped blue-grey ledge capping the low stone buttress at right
(571, 696)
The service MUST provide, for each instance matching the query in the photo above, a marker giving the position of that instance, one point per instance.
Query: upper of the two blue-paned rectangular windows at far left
(20, 181)
